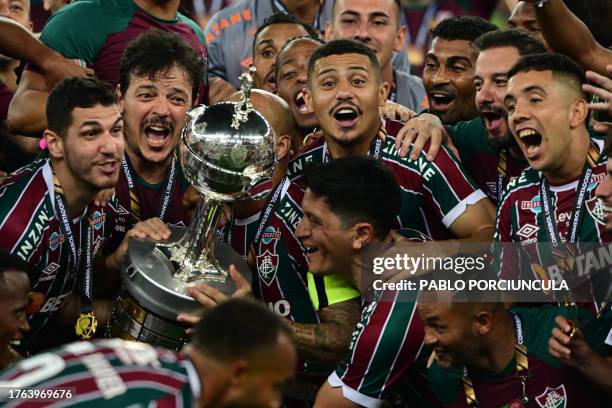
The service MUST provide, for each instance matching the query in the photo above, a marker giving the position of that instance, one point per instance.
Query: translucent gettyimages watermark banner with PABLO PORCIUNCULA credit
(508, 272)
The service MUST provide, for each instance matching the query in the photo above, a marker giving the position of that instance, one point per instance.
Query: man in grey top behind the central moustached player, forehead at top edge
(377, 25)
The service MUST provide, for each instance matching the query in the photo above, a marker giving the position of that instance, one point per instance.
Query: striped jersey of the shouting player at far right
(520, 217)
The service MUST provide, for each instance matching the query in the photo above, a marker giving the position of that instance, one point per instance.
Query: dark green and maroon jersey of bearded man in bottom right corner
(550, 384)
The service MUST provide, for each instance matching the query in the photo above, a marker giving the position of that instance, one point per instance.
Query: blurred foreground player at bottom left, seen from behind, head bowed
(240, 356)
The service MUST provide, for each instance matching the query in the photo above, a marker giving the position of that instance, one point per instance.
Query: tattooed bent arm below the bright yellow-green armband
(326, 342)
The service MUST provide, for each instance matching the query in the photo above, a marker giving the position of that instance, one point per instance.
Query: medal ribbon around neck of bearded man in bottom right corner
(522, 367)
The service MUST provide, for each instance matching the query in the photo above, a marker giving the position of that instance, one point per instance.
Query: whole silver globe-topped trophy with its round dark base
(228, 154)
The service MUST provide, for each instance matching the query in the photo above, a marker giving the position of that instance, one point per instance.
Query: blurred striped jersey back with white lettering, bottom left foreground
(106, 373)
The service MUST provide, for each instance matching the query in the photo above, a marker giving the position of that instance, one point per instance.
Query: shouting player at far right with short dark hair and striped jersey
(553, 200)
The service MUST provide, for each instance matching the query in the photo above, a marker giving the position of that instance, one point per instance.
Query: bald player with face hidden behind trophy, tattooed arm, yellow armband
(263, 231)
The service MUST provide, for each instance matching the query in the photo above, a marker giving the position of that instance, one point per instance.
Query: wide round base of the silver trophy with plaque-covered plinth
(153, 296)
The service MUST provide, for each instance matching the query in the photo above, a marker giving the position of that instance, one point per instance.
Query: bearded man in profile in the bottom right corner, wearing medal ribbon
(492, 357)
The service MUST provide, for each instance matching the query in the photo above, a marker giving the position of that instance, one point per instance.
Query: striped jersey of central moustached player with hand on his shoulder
(434, 194)
